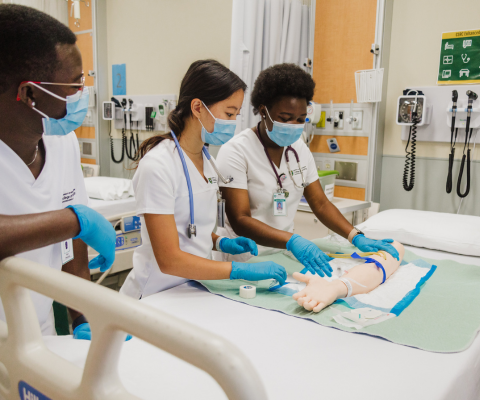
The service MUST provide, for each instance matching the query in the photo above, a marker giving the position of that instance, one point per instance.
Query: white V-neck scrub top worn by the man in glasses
(59, 185)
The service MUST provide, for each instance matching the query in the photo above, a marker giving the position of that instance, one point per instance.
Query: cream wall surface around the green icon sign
(417, 29)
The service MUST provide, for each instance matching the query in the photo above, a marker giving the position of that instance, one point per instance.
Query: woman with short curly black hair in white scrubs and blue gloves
(257, 161)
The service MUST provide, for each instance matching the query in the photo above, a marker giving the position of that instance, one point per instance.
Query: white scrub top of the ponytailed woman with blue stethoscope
(161, 188)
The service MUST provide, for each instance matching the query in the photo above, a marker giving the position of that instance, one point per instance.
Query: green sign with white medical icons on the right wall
(459, 58)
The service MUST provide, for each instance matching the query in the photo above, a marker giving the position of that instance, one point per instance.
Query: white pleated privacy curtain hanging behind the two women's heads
(264, 33)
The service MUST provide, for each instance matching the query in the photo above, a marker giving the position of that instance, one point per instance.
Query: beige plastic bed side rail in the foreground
(24, 356)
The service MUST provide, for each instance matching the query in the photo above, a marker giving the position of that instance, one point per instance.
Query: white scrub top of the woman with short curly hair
(244, 158)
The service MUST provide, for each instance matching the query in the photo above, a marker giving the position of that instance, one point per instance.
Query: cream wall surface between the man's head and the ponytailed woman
(159, 39)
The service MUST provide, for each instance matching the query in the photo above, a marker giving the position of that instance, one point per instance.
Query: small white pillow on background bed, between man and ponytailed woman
(106, 188)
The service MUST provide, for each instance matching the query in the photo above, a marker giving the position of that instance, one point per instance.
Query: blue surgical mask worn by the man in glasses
(77, 108)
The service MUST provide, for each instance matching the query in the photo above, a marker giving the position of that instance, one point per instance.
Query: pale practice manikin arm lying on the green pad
(320, 293)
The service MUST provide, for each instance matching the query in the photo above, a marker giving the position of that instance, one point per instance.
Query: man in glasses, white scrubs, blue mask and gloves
(39, 159)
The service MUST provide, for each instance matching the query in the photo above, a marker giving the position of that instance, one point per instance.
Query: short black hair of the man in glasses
(28, 40)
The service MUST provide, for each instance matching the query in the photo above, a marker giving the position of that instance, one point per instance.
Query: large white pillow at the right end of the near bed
(438, 231)
